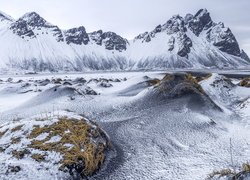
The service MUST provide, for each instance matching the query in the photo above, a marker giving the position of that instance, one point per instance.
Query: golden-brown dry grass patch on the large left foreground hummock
(79, 134)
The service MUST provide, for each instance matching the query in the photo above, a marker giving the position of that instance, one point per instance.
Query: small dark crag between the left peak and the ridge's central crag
(77, 36)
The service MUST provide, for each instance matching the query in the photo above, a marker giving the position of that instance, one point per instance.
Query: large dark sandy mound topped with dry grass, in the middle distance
(180, 85)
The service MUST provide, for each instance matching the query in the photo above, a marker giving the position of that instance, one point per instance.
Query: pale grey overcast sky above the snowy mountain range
(129, 18)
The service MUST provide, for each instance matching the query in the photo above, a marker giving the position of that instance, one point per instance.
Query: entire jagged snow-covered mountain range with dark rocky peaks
(193, 41)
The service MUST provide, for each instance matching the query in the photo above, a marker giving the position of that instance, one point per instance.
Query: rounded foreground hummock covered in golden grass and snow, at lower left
(64, 143)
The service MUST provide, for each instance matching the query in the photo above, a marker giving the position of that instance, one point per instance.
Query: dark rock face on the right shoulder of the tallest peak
(224, 39)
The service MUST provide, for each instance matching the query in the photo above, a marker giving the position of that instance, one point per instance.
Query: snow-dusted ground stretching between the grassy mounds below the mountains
(153, 138)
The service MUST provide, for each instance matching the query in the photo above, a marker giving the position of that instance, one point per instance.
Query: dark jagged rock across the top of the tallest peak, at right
(177, 26)
